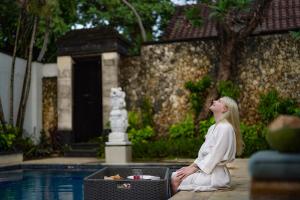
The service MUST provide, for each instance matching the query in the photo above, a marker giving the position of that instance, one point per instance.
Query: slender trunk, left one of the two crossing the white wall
(12, 75)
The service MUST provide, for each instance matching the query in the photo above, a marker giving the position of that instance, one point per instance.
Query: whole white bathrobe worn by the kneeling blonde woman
(218, 149)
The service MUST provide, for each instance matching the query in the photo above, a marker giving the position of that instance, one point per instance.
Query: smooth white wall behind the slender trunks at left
(33, 115)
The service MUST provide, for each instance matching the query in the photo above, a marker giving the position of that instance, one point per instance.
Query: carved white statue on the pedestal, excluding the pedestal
(118, 117)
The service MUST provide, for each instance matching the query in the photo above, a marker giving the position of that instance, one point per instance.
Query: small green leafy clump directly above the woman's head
(228, 88)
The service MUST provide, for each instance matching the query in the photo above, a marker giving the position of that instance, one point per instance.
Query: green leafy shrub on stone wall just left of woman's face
(198, 91)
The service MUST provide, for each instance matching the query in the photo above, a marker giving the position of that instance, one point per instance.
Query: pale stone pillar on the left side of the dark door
(64, 98)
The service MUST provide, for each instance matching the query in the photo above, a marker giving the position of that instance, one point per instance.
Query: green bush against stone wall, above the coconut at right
(271, 105)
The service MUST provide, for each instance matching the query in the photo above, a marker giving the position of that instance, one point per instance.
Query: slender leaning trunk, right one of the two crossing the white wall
(27, 79)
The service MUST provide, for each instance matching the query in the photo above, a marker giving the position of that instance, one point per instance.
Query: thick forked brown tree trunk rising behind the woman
(230, 40)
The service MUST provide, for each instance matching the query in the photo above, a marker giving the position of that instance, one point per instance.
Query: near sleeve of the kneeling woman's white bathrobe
(223, 149)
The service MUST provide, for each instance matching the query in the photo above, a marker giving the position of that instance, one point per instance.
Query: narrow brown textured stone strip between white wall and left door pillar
(49, 105)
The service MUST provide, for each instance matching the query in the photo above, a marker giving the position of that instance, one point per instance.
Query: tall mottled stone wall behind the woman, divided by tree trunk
(162, 69)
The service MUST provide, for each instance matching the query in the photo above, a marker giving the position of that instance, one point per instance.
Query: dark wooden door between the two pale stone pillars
(87, 88)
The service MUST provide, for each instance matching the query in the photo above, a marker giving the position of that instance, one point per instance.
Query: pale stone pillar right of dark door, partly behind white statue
(110, 73)
